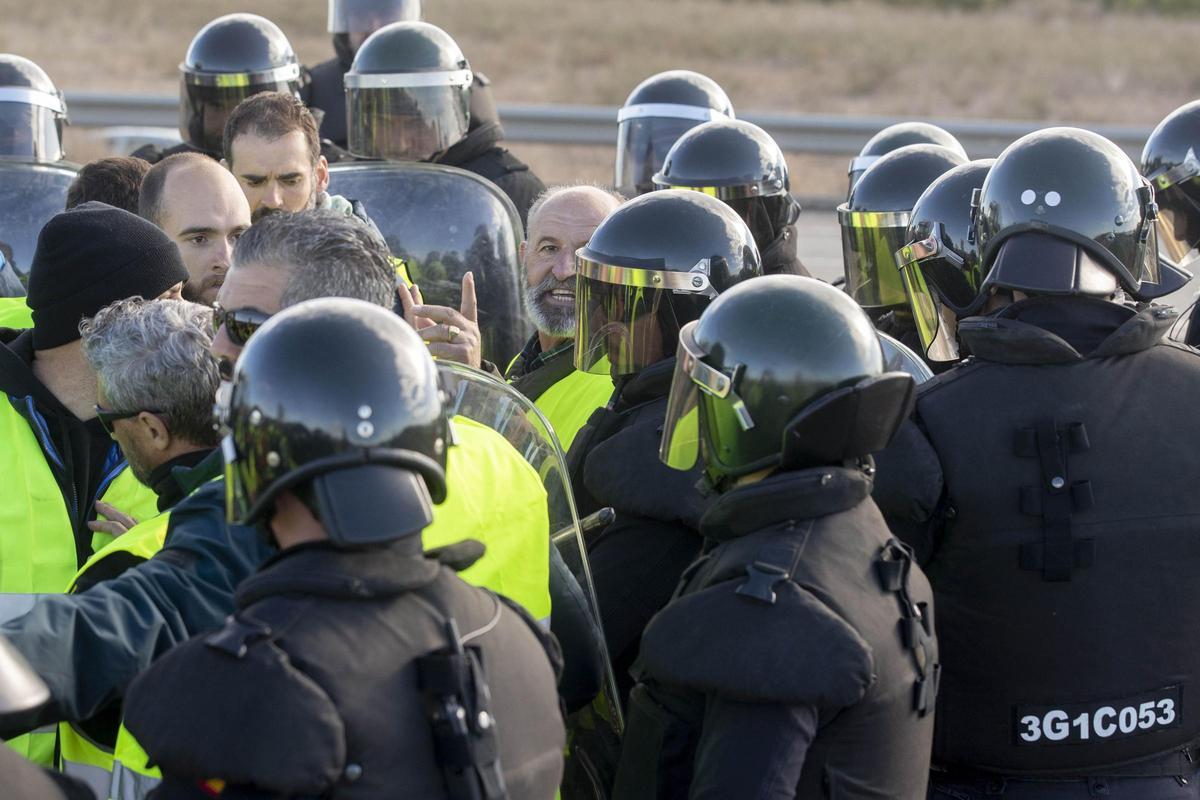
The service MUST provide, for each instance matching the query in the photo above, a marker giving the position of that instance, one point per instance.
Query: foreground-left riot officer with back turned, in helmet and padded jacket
(375, 671)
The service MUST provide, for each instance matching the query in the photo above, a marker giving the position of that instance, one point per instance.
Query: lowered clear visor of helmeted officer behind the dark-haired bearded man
(405, 123)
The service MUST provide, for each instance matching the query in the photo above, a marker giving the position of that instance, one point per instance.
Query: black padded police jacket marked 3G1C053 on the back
(1060, 531)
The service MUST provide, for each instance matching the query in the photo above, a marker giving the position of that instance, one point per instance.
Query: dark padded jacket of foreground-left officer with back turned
(322, 670)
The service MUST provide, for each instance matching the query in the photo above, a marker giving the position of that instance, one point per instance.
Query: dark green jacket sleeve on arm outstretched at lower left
(89, 647)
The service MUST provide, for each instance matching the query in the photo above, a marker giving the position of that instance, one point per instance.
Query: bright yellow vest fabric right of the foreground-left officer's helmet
(496, 497)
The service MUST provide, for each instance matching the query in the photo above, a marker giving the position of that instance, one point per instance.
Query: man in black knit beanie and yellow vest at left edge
(57, 461)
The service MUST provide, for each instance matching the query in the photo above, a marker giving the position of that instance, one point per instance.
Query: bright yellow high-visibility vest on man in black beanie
(38, 550)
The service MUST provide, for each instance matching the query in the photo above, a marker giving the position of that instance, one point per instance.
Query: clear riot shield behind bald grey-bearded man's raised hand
(445, 222)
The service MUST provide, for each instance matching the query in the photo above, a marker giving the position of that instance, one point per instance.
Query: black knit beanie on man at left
(91, 257)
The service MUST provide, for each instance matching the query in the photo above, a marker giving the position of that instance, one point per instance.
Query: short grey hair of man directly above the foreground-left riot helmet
(327, 255)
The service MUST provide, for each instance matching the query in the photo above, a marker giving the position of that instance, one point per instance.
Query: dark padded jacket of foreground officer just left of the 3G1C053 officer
(797, 659)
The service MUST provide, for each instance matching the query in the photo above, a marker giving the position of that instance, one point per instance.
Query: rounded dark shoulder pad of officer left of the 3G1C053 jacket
(795, 651)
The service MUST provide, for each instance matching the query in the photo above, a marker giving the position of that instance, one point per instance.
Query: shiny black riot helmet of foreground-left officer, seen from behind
(367, 453)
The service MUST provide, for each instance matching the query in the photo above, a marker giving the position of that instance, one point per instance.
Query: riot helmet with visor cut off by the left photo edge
(32, 112)
